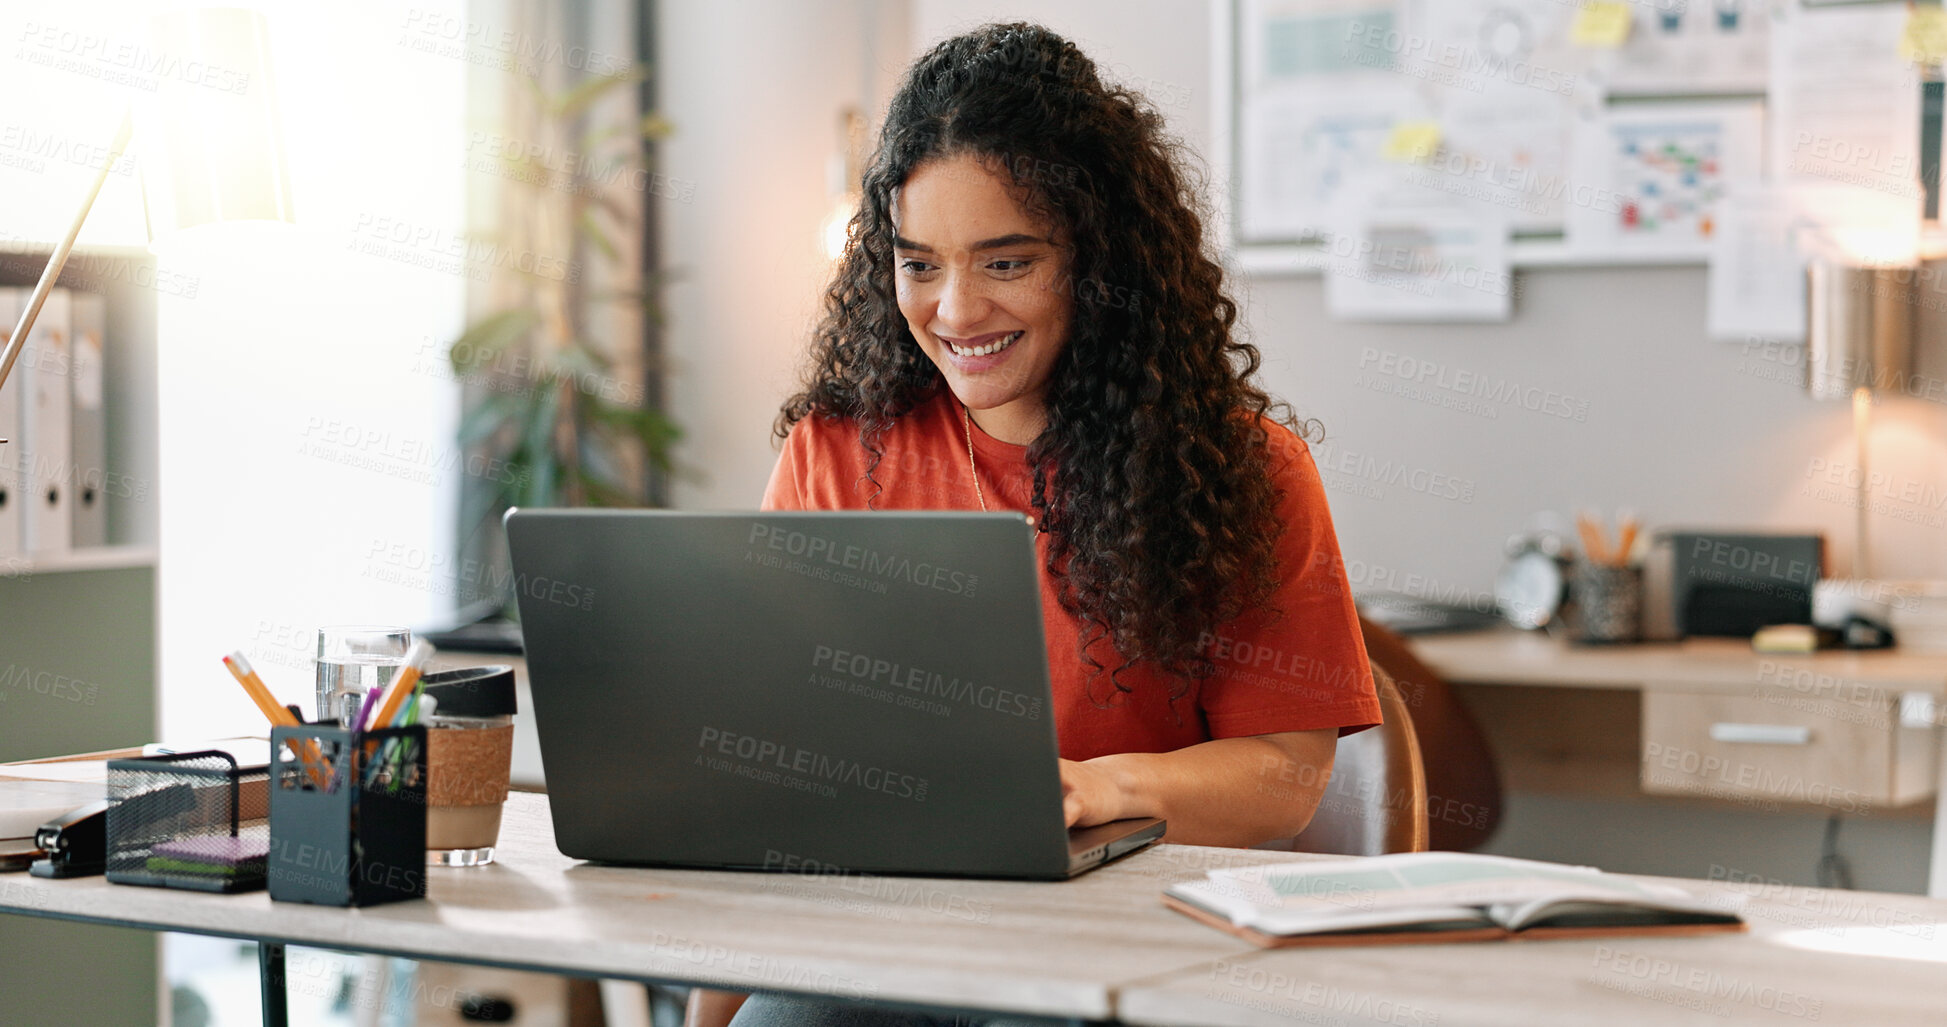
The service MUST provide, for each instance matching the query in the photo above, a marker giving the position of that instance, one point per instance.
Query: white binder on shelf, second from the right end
(48, 430)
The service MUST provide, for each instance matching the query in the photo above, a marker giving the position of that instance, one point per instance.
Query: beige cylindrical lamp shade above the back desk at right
(1858, 328)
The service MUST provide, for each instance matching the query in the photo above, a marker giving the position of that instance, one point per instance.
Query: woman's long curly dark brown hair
(1163, 515)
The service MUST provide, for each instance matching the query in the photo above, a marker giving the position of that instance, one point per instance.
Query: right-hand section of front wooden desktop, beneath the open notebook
(1812, 956)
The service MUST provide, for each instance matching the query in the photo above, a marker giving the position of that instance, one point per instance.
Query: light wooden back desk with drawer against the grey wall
(1710, 720)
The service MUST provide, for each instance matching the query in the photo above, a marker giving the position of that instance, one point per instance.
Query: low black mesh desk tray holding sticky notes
(186, 821)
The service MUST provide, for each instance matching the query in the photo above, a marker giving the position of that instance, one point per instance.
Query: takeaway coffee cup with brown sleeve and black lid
(470, 751)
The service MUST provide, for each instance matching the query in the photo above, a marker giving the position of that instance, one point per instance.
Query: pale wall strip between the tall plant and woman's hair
(754, 91)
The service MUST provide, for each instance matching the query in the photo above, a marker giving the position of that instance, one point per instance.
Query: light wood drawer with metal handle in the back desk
(1841, 755)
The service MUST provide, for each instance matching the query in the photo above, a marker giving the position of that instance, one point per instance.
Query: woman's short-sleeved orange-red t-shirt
(1296, 671)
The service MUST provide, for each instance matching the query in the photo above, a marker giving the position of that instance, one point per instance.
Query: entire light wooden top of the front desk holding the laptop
(1099, 948)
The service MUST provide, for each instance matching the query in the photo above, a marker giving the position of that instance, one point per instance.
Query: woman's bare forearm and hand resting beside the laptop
(1226, 792)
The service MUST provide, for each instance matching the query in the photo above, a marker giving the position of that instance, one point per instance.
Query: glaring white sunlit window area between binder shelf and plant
(307, 418)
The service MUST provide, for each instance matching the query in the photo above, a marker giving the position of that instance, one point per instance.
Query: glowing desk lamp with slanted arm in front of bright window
(223, 155)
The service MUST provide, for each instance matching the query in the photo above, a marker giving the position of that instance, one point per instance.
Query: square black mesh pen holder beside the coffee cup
(348, 816)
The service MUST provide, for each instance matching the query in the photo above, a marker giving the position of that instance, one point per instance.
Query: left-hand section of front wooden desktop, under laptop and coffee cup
(1056, 950)
